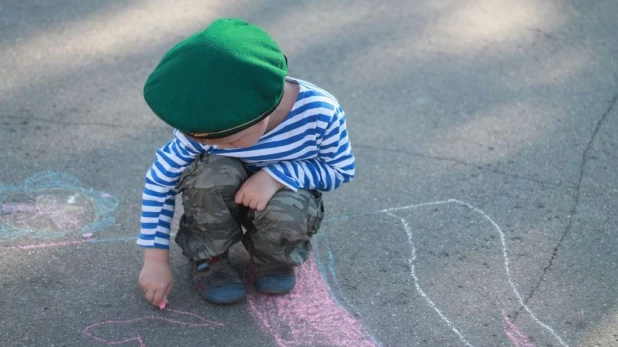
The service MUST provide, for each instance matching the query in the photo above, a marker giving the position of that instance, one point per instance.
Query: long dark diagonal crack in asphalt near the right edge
(575, 205)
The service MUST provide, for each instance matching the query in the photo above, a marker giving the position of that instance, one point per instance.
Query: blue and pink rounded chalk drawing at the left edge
(50, 205)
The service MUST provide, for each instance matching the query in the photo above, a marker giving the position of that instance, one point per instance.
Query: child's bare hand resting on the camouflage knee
(257, 190)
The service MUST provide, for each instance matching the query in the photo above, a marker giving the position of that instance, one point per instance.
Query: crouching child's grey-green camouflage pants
(211, 224)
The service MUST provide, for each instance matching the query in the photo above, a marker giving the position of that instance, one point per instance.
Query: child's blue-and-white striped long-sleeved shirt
(310, 149)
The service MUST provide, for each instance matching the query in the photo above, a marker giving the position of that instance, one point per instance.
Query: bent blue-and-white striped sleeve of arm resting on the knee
(334, 164)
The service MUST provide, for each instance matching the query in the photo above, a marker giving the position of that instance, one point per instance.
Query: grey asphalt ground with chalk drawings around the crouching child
(483, 212)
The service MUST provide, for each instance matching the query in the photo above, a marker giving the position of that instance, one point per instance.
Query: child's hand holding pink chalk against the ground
(156, 278)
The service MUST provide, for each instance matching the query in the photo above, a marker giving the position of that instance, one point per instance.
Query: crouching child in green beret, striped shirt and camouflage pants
(251, 148)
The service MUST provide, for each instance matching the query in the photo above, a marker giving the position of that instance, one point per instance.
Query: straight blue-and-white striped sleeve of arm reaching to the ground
(159, 191)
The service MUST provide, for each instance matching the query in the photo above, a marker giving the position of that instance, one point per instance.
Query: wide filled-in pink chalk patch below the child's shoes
(307, 316)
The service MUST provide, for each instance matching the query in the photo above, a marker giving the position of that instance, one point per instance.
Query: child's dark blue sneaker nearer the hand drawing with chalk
(216, 280)
